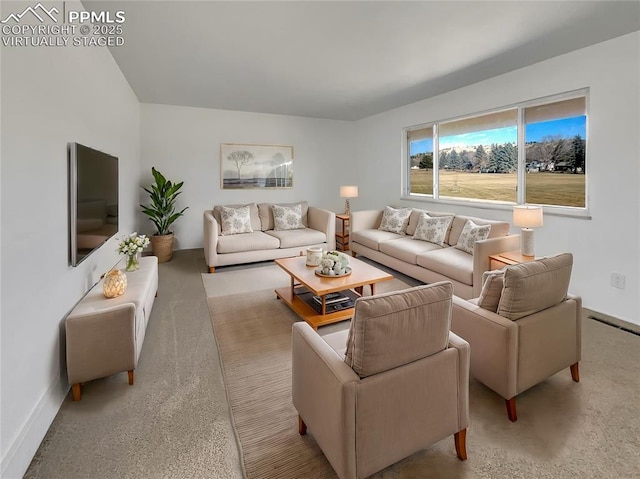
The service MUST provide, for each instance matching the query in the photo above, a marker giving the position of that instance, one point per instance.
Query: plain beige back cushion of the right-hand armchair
(536, 285)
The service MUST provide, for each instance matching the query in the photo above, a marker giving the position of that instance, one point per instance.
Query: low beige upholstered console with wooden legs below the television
(105, 335)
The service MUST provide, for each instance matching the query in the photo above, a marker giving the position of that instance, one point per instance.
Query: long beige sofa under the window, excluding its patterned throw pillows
(427, 261)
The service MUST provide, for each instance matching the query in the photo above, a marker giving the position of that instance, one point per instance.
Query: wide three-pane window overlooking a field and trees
(534, 152)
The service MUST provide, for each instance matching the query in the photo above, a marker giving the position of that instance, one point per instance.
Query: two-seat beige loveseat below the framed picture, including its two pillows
(237, 234)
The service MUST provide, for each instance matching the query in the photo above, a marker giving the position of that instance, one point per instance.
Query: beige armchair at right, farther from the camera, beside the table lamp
(523, 328)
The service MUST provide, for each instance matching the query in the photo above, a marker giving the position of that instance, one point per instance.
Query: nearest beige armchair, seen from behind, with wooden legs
(394, 383)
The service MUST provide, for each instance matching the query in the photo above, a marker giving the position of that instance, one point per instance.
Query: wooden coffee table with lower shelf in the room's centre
(304, 279)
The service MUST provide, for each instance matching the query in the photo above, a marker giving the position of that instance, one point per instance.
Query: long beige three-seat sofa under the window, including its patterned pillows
(432, 251)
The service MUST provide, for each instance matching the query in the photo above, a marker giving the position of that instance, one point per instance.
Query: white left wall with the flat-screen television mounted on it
(51, 96)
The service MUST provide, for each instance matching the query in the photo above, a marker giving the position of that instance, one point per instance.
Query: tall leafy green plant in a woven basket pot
(162, 212)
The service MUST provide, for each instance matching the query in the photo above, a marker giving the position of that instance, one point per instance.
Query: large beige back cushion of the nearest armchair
(392, 329)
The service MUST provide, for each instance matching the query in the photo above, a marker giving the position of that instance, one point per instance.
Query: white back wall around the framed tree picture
(184, 144)
